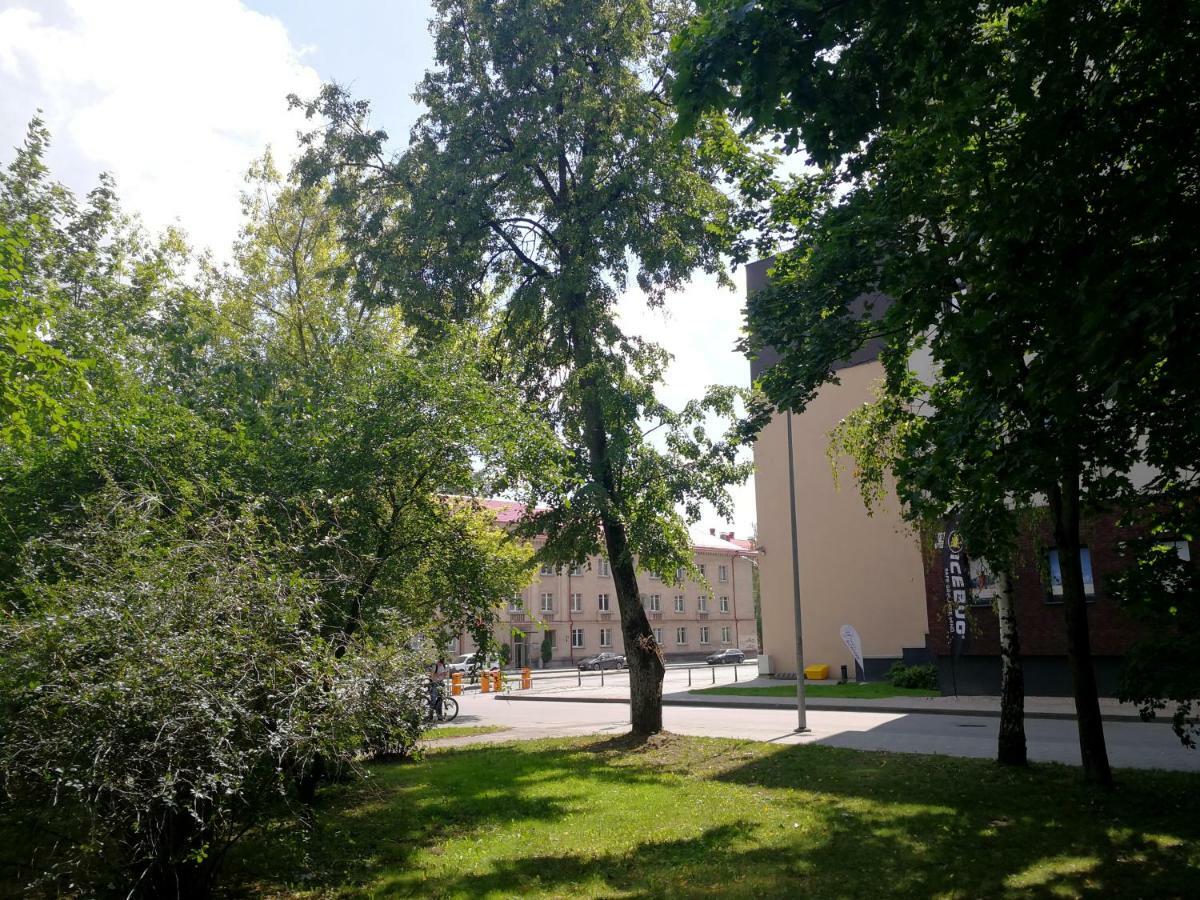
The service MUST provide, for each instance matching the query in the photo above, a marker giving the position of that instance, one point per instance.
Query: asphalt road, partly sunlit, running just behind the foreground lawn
(1131, 745)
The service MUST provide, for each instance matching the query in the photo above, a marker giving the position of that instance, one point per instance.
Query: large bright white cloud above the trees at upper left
(175, 99)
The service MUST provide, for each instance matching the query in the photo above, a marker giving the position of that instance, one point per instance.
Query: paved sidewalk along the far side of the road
(676, 693)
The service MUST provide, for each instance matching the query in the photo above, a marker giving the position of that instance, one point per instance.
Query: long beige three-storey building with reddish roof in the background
(577, 607)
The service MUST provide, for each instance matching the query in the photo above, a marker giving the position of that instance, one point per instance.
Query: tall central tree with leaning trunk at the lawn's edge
(541, 182)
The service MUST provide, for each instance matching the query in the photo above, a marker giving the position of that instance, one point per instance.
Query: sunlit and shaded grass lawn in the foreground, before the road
(706, 818)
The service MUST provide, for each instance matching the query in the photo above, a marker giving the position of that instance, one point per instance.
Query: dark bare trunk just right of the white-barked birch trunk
(1065, 507)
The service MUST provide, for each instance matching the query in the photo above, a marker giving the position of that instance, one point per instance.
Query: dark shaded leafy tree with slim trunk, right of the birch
(1021, 179)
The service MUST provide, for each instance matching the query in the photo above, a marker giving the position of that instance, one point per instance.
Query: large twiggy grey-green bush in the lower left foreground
(164, 688)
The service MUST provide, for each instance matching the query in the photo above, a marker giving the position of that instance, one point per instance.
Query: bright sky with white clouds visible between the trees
(177, 98)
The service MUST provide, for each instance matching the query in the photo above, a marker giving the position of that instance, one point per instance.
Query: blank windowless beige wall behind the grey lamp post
(855, 569)
